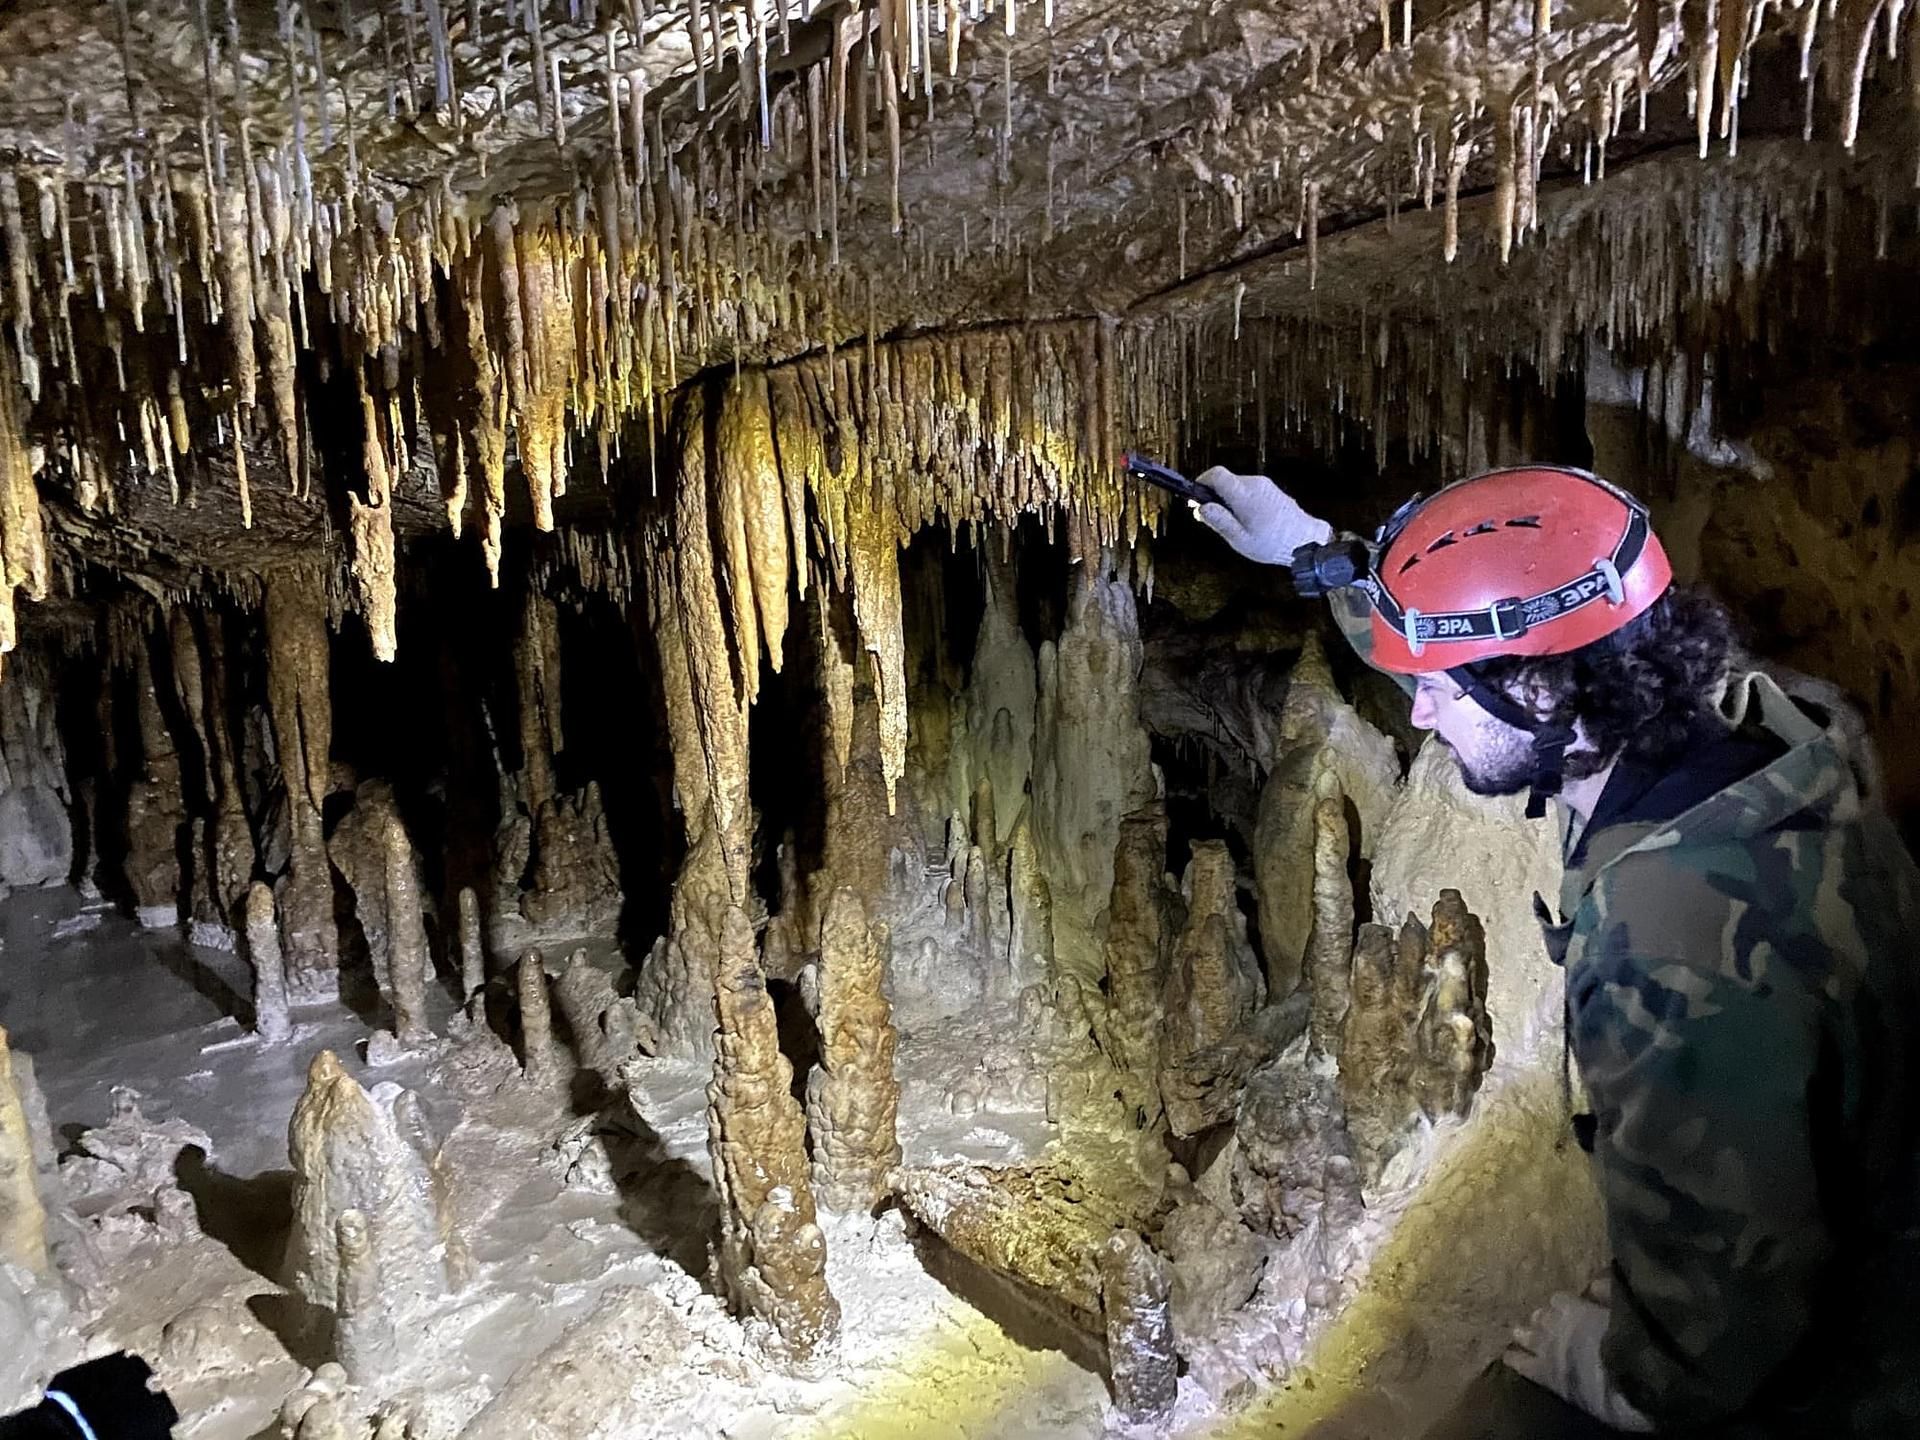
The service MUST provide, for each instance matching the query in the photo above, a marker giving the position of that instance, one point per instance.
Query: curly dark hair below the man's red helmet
(1643, 692)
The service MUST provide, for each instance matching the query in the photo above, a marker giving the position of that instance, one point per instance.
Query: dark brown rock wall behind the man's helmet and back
(1802, 514)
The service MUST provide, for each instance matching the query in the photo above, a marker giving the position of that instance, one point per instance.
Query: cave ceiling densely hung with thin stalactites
(348, 249)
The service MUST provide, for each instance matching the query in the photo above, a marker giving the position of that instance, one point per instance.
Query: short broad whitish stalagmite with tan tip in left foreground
(360, 1151)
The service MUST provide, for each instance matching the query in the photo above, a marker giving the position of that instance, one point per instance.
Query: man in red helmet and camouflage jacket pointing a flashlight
(1739, 934)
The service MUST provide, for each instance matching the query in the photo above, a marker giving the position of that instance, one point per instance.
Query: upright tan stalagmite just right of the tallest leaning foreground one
(853, 1095)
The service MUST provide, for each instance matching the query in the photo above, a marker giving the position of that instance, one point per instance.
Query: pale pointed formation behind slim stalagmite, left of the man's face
(1322, 742)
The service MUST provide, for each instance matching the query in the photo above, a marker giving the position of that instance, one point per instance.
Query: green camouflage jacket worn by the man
(1742, 1003)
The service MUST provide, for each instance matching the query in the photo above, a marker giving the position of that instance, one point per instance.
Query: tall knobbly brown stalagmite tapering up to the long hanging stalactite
(771, 1253)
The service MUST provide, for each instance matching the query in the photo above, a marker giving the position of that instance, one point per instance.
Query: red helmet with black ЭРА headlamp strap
(1527, 562)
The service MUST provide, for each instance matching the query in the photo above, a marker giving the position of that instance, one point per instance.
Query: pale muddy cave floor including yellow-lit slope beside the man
(101, 1005)
